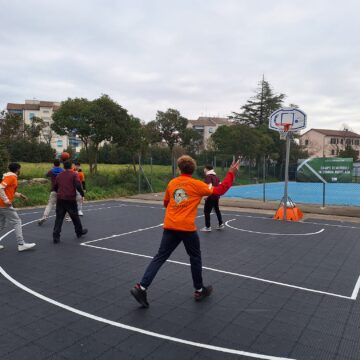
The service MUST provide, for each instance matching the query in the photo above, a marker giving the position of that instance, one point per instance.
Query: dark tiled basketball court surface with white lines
(281, 290)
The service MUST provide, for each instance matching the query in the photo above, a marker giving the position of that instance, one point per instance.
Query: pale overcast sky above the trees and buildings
(202, 57)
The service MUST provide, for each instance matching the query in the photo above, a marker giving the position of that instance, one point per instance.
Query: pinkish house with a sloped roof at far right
(328, 143)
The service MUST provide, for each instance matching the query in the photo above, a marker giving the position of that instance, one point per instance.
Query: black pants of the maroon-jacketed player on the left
(63, 207)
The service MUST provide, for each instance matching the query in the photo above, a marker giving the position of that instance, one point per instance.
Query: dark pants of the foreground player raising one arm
(170, 240)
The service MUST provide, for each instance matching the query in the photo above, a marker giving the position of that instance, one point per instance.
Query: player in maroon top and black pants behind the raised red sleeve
(212, 201)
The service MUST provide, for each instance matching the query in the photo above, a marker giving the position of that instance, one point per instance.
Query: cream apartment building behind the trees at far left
(44, 110)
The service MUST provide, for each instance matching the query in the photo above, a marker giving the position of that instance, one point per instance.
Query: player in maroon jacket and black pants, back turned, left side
(66, 185)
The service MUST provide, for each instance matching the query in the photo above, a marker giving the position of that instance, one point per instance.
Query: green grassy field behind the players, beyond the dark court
(111, 181)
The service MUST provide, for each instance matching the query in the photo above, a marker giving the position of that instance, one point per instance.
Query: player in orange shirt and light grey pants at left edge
(8, 187)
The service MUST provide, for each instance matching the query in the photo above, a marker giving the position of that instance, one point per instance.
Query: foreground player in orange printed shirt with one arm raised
(182, 198)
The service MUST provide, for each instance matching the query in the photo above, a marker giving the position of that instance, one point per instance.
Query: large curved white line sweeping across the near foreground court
(135, 329)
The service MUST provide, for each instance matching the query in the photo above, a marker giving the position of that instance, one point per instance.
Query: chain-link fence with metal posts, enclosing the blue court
(257, 179)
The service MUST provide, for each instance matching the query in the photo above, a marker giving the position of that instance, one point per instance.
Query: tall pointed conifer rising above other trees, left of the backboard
(258, 108)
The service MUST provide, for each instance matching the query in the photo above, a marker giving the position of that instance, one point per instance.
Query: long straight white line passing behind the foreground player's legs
(228, 273)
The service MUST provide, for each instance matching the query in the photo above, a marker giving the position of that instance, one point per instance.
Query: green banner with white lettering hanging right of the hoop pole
(326, 170)
